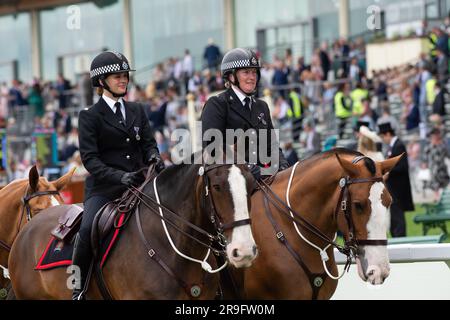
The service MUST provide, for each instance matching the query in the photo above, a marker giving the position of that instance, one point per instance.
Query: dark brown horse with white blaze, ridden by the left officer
(157, 256)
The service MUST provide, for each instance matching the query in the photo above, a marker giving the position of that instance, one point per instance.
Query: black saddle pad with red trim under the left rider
(59, 253)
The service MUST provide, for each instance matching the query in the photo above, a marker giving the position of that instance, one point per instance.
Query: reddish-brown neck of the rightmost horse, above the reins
(312, 193)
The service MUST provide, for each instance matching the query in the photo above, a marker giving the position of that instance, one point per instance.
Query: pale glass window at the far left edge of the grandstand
(15, 35)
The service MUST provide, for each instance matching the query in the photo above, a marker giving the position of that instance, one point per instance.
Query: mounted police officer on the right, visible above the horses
(237, 108)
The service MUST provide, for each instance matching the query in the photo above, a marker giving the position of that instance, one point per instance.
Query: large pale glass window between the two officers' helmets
(165, 28)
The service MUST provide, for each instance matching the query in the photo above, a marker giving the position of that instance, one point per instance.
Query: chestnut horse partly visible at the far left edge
(19, 201)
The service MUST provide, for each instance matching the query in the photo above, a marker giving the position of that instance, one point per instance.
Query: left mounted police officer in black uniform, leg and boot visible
(116, 142)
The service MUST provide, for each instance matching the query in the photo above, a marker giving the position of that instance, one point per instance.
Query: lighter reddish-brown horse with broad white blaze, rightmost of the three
(296, 218)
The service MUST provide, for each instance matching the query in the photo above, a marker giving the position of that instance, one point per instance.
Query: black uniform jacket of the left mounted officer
(109, 149)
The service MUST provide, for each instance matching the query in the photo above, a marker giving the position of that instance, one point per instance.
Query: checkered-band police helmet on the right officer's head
(239, 58)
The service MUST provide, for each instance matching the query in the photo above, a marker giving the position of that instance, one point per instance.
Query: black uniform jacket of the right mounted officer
(226, 111)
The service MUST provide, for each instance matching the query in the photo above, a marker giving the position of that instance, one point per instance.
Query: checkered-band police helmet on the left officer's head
(106, 63)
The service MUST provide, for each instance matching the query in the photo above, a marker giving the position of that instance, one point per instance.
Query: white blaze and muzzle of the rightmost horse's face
(373, 261)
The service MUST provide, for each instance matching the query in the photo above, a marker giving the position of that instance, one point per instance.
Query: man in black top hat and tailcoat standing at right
(398, 182)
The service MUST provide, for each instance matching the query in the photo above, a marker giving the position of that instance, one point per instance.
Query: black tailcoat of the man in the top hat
(398, 182)
